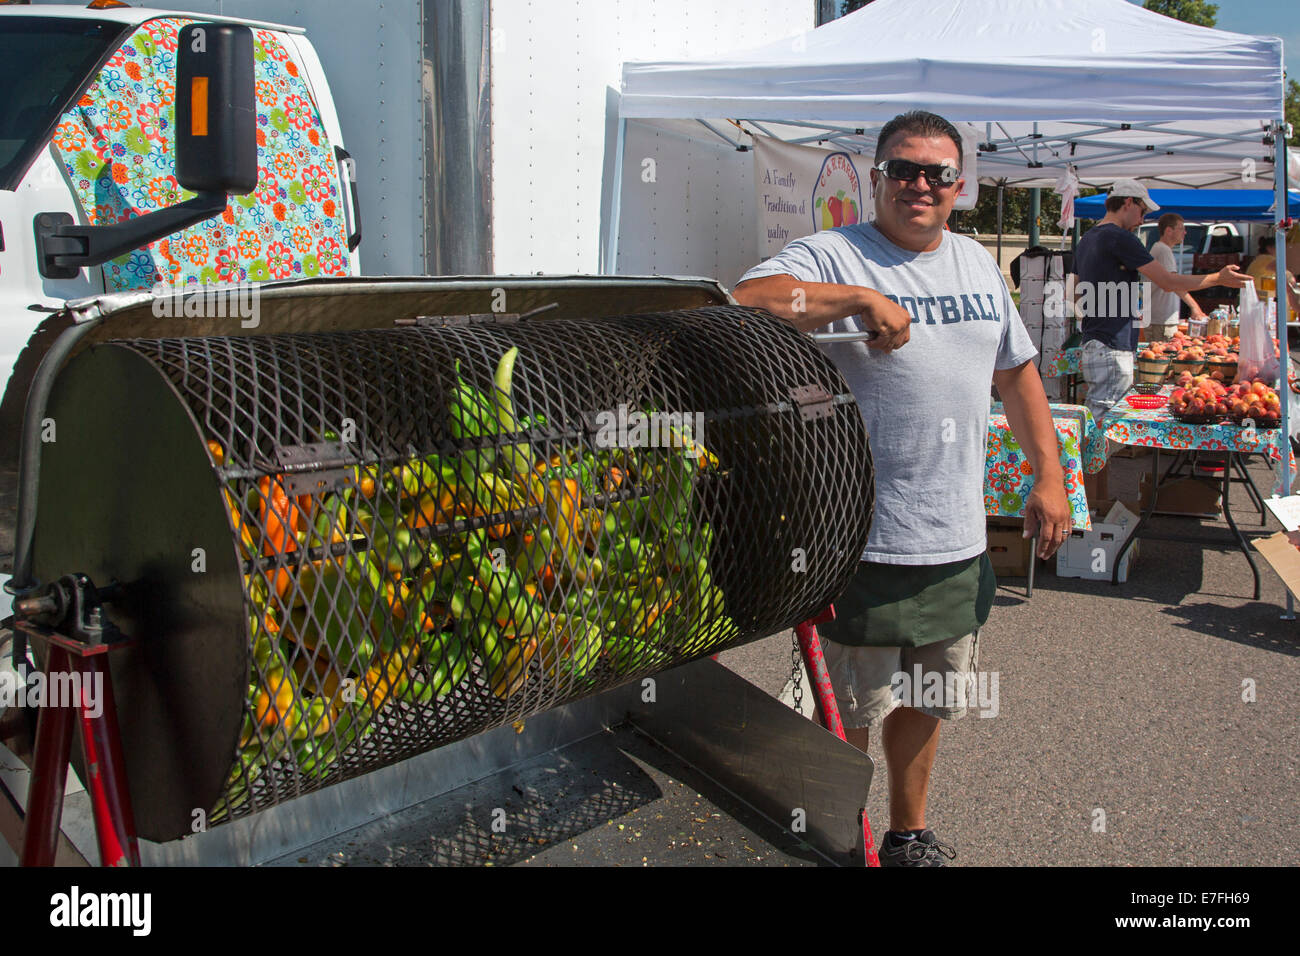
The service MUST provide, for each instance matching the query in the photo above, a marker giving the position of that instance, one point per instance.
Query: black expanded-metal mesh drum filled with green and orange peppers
(437, 542)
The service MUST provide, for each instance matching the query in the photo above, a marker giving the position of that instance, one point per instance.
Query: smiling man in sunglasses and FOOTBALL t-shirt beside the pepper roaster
(947, 327)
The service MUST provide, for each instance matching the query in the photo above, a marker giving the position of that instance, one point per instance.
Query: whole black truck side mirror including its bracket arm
(216, 154)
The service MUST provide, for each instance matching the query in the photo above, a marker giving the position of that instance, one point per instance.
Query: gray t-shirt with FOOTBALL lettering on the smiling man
(926, 405)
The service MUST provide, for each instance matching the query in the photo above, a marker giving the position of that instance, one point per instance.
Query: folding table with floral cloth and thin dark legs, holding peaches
(1160, 431)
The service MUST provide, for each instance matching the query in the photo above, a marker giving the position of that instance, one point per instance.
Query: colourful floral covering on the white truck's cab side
(119, 149)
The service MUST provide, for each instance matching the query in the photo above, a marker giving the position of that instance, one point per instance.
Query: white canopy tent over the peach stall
(1104, 86)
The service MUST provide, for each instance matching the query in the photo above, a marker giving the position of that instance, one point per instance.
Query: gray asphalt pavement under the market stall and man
(1155, 723)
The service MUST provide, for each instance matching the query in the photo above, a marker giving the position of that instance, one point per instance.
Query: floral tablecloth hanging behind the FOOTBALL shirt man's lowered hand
(1009, 479)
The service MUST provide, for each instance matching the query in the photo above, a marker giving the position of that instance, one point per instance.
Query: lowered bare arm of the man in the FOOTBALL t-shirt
(1047, 513)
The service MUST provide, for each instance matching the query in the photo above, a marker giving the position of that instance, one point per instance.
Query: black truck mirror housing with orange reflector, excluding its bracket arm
(216, 118)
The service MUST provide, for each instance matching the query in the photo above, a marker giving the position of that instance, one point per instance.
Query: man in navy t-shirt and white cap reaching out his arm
(1107, 263)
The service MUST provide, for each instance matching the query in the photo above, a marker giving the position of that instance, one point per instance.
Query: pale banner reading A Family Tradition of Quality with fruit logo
(803, 189)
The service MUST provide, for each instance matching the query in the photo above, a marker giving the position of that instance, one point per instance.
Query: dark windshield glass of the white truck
(45, 64)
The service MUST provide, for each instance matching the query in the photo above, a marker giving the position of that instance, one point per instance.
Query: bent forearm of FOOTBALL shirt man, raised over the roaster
(812, 305)
